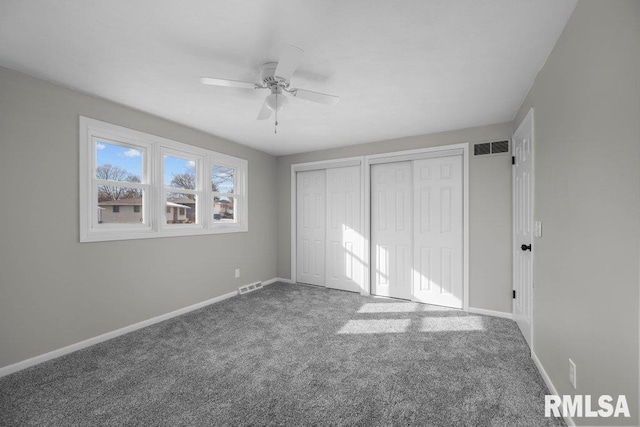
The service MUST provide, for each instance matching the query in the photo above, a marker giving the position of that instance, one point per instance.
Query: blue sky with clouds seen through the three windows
(131, 160)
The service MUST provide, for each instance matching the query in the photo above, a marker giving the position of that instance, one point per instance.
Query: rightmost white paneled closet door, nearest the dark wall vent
(438, 234)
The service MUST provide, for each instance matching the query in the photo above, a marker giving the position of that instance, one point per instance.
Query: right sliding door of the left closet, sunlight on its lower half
(344, 230)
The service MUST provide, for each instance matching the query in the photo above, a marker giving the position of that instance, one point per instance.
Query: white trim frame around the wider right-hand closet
(421, 153)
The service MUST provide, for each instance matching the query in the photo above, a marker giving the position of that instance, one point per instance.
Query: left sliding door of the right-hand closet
(391, 229)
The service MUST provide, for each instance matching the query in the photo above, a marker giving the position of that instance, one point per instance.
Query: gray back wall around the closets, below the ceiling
(489, 208)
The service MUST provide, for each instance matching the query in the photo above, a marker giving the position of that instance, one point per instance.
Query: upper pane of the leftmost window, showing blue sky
(117, 163)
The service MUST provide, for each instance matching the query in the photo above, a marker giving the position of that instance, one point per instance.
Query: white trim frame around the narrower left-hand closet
(320, 165)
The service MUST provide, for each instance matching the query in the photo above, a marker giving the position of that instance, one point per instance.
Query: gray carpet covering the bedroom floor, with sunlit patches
(292, 355)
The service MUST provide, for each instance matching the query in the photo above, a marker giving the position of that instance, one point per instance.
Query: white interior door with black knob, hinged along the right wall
(523, 228)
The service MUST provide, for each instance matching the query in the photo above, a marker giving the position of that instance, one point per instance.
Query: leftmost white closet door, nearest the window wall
(310, 239)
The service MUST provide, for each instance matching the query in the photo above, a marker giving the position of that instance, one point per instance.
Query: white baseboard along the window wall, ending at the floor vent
(10, 369)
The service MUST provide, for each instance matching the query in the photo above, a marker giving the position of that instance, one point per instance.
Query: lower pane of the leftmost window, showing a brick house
(119, 205)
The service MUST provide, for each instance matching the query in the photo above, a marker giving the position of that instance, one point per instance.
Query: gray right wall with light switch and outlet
(587, 194)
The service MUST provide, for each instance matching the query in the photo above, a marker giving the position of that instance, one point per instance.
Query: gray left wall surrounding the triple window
(55, 291)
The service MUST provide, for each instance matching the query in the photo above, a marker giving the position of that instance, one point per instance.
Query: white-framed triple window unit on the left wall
(135, 185)
